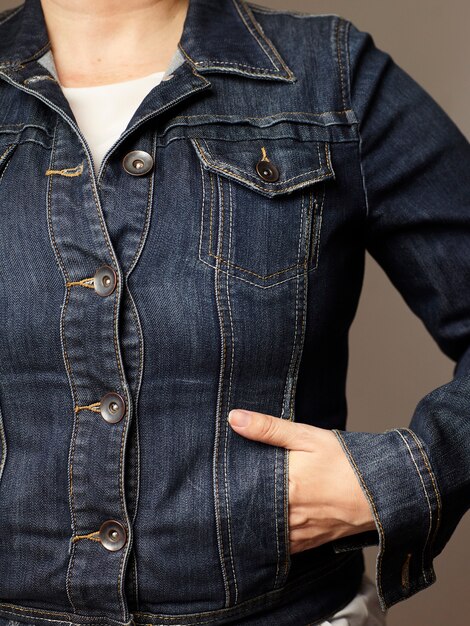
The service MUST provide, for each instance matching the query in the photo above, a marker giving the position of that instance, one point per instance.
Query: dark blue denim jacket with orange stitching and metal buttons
(220, 267)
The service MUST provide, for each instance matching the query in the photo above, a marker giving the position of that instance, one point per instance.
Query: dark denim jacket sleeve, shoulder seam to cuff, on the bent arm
(416, 177)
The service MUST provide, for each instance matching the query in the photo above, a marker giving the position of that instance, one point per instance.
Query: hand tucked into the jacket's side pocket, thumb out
(326, 500)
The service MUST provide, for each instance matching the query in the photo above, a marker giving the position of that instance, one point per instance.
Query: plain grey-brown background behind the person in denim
(393, 360)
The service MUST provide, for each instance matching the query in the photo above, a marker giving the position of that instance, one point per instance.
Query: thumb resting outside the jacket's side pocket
(266, 428)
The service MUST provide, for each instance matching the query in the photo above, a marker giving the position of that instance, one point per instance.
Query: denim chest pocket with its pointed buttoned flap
(262, 205)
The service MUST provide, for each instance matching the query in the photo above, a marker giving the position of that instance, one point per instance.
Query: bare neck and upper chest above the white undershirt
(96, 42)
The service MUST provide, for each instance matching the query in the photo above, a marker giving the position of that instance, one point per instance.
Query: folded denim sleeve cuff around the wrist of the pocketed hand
(395, 474)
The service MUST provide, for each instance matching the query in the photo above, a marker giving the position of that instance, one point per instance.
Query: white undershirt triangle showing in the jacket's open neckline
(102, 112)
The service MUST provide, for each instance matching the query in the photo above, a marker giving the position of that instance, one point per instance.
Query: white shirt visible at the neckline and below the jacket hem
(102, 113)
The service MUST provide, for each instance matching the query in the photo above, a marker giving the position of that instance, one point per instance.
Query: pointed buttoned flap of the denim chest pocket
(298, 163)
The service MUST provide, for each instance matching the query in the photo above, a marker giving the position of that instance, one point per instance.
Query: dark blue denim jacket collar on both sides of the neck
(218, 36)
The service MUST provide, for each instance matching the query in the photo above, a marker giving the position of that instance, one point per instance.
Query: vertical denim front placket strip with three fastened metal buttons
(100, 534)
